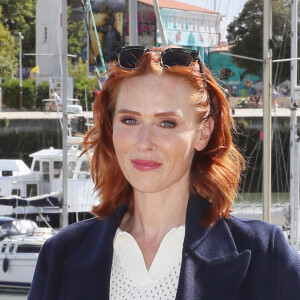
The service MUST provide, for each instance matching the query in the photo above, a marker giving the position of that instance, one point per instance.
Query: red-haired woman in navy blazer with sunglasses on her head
(167, 172)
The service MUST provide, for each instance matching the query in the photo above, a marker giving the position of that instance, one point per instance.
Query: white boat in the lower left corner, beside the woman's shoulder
(20, 243)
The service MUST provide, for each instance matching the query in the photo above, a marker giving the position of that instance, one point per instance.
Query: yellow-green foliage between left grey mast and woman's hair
(81, 82)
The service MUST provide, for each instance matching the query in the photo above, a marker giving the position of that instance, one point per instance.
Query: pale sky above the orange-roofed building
(230, 8)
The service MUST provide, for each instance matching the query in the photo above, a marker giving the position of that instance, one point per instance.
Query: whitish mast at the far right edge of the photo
(294, 139)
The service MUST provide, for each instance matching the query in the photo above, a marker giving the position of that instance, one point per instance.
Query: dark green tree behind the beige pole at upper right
(245, 34)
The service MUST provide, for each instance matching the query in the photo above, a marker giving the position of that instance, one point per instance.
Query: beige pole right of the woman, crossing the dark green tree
(267, 119)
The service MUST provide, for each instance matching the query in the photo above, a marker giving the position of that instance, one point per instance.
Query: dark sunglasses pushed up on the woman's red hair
(129, 56)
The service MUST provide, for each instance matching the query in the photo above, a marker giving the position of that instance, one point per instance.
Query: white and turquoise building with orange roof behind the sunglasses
(185, 25)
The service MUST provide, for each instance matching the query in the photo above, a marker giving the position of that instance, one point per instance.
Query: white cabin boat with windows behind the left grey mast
(25, 192)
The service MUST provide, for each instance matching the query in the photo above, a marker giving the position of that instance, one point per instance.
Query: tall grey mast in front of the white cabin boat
(64, 60)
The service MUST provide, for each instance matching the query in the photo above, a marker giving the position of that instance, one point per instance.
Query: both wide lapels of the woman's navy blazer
(211, 266)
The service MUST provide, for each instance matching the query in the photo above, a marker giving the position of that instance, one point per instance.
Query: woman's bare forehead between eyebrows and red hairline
(150, 89)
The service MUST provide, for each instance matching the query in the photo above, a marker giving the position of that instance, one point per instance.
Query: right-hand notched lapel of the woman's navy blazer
(211, 266)
